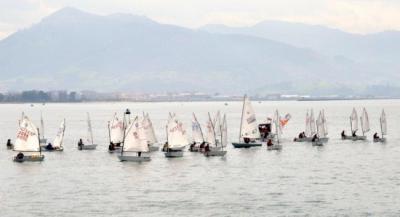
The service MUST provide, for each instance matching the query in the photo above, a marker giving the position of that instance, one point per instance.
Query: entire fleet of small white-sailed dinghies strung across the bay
(137, 138)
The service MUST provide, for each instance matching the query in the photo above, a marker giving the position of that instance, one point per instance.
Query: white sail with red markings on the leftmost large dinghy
(27, 137)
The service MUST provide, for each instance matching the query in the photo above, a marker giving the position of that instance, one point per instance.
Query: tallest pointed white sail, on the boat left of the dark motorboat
(249, 127)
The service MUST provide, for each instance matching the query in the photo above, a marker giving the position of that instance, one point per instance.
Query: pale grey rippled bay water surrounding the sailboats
(342, 178)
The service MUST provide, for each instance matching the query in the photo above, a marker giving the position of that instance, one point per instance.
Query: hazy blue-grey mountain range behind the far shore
(75, 50)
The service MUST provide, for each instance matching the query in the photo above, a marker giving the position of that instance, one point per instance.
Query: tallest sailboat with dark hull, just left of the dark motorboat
(249, 132)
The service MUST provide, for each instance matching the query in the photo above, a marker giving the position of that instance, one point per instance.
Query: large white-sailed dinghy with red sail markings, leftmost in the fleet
(27, 142)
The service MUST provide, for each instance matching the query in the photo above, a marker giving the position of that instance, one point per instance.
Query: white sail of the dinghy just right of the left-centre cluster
(177, 137)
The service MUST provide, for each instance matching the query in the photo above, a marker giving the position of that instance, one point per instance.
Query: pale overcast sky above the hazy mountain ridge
(360, 16)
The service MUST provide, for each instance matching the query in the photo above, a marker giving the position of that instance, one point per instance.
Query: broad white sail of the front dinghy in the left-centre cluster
(135, 137)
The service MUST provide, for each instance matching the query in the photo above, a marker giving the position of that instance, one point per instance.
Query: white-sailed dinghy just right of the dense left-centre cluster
(176, 138)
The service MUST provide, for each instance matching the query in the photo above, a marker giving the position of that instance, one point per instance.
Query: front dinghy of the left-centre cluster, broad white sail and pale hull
(135, 141)
